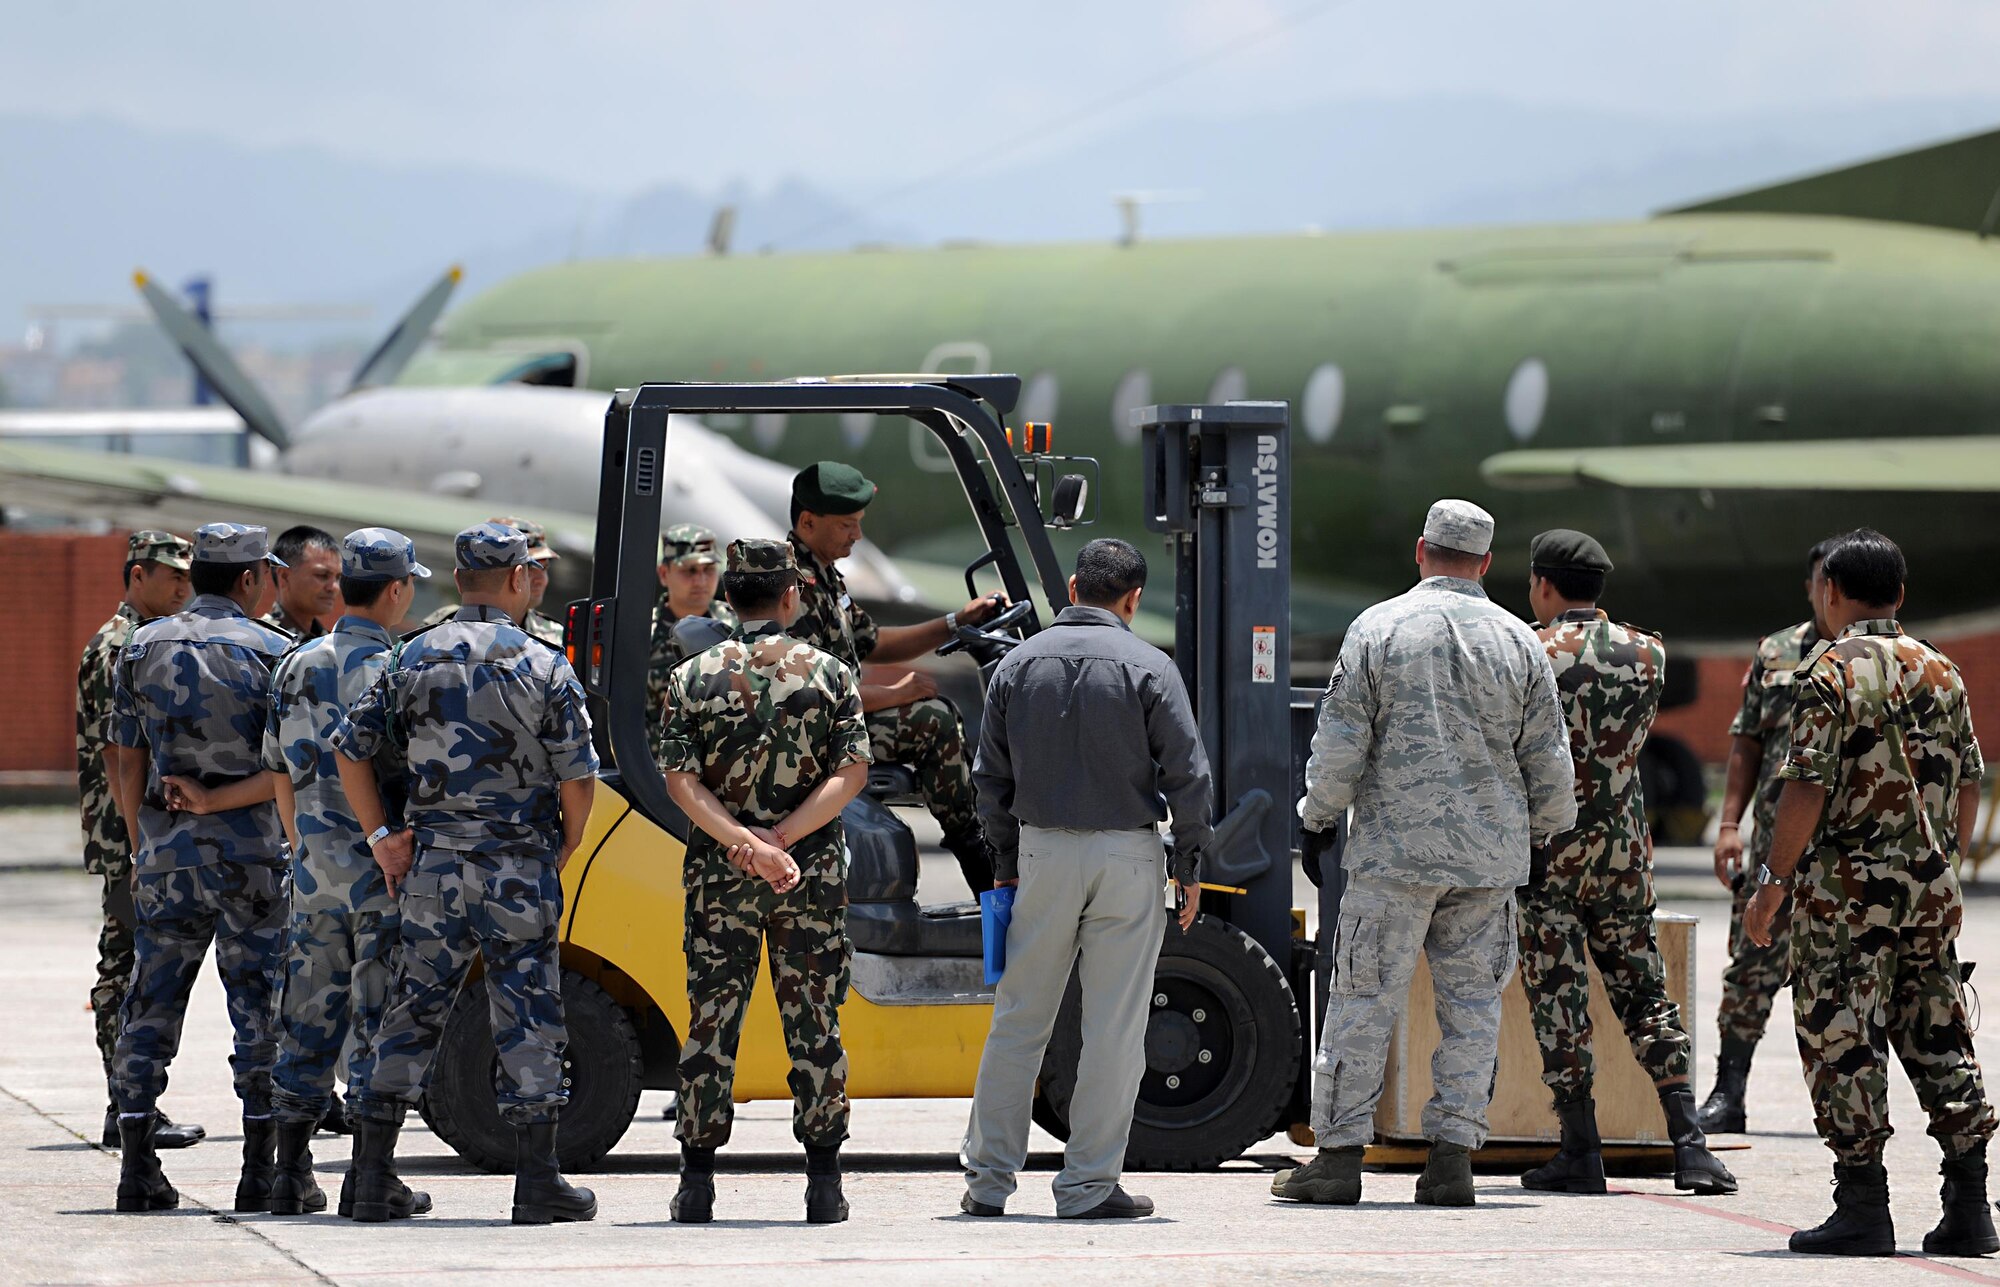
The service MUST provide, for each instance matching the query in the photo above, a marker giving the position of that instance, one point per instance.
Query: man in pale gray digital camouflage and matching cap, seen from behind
(1443, 730)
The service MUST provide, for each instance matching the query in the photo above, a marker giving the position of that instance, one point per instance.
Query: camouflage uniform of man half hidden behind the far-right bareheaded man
(1755, 974)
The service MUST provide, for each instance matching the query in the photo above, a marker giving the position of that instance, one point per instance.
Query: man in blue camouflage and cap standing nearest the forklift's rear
(501, 772)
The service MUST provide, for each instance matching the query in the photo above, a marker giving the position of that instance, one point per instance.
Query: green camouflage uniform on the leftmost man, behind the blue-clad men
(107, 850)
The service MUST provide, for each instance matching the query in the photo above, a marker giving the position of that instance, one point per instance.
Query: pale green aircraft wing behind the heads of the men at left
(147, 493)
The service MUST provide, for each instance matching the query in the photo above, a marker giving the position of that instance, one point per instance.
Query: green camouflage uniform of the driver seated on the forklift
(927, 736)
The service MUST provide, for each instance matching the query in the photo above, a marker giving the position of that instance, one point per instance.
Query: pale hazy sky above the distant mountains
(615, 95)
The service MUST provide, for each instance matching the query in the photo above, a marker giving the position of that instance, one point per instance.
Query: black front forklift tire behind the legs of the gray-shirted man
(1223, 1052)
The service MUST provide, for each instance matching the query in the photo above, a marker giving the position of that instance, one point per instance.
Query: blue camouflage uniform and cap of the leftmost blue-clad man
(195, 692)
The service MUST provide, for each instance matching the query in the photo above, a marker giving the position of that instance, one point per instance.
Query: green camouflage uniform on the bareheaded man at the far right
(1881, 722)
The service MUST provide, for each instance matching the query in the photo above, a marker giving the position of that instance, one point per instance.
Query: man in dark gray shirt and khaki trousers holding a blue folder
(1105, 738)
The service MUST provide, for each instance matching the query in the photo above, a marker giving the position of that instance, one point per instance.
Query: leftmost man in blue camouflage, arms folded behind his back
(191, 706)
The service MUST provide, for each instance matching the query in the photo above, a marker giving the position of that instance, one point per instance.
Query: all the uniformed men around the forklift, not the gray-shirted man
(351, 816)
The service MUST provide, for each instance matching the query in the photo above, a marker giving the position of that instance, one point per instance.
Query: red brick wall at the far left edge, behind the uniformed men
(55, 591)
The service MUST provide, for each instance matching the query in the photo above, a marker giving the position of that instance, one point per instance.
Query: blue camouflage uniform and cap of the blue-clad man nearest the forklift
(491, 722)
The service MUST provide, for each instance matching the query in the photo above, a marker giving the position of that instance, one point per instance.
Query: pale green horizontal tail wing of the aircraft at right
(1855, 465)
